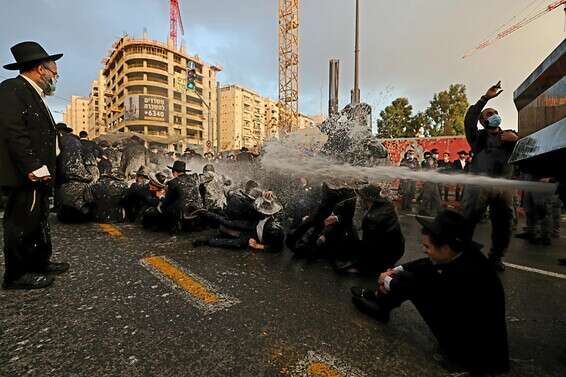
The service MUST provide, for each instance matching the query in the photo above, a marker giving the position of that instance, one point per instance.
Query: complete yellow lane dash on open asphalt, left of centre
(195, 289)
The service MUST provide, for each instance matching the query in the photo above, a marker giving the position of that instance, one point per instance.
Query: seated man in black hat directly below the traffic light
(182, 203)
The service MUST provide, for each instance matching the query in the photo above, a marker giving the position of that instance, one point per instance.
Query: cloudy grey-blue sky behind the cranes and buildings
(410, 48)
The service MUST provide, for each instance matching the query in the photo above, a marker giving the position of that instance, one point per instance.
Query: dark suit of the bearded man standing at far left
(27, 142)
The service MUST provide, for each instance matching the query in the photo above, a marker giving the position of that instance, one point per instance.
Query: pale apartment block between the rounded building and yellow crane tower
(246, 118)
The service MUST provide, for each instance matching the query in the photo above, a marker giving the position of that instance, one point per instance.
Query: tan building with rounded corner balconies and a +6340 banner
(145, 93)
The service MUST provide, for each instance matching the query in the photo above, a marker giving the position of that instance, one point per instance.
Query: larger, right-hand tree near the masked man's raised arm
(446, 112)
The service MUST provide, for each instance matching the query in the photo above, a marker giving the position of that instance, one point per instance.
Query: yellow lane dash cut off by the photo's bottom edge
(317, 364)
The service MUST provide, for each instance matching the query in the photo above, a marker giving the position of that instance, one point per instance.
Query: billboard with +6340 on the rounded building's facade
(141, 107)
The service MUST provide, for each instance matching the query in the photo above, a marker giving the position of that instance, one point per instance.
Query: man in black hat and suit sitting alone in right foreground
(457, 293)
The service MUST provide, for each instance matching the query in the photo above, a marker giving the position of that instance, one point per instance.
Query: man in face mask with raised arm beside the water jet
(492, 148)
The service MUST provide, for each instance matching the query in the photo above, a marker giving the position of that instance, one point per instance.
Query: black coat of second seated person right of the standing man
(109, 194)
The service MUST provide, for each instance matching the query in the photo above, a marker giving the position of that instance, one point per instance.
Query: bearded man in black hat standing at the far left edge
(28, 149)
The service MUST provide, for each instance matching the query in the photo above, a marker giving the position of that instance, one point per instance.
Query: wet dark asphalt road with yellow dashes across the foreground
(146, 304)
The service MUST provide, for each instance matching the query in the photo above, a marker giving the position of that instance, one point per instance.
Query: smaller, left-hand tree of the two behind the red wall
(396, 120)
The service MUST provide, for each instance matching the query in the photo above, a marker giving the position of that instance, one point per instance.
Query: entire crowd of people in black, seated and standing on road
(350, 224)
